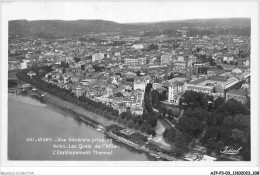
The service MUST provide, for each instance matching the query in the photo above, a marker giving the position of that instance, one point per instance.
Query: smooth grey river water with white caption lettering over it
(31, 120)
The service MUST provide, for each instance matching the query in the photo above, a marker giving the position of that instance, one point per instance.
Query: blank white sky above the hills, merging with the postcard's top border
(125, 12)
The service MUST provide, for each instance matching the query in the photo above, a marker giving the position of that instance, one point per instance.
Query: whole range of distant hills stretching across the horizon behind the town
(56, 28)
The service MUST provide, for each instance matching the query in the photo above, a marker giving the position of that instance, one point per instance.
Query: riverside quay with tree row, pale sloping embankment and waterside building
(114, 125)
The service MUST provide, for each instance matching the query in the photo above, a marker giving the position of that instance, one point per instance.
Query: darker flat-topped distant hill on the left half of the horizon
(60, 28)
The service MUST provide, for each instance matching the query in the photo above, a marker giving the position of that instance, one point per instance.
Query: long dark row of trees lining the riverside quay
(144, 123)
